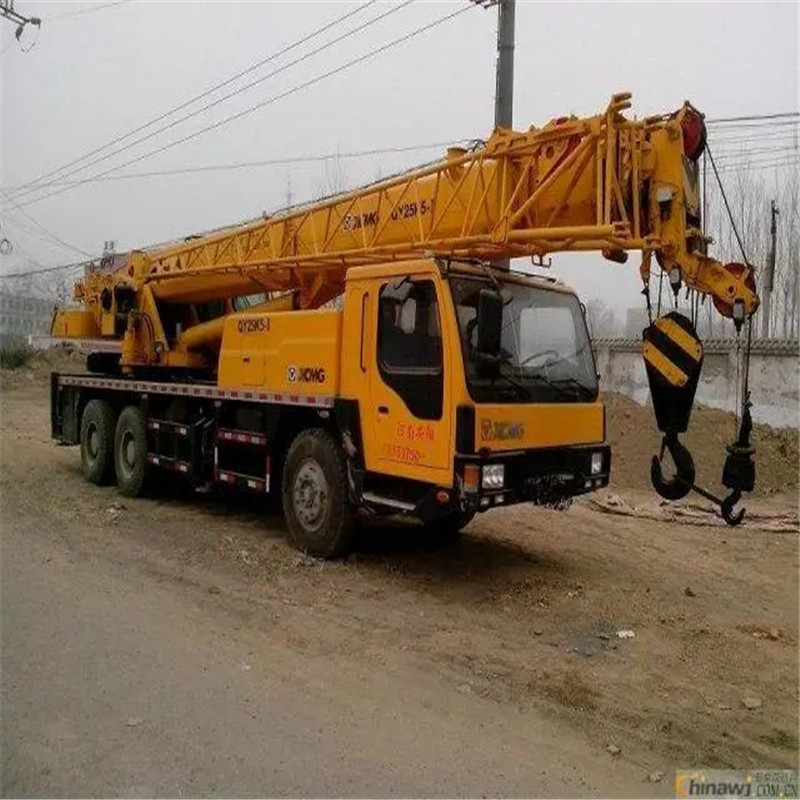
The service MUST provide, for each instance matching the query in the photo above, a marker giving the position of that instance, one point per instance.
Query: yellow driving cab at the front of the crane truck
(472, 388)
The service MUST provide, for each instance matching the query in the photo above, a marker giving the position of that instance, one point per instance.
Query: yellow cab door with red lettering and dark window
(409, 398)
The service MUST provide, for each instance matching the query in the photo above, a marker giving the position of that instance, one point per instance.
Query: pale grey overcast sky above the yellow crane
(97, 71)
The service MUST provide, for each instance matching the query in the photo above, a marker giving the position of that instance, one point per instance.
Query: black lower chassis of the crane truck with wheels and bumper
(305, 448)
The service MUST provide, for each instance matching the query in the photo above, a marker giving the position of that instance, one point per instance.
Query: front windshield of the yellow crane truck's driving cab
(546, 355)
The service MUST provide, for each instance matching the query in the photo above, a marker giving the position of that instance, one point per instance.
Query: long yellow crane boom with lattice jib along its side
(603, 183)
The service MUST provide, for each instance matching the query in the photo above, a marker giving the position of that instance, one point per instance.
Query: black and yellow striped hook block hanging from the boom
(673, 358)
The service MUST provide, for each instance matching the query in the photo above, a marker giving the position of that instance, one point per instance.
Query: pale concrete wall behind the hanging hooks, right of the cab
(774, 376)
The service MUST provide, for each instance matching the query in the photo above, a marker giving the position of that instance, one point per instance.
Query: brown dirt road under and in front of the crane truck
(179, 646)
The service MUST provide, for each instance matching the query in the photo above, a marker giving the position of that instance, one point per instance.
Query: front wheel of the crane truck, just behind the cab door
(316, 502)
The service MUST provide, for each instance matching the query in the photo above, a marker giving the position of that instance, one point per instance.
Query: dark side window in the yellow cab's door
(410, 345)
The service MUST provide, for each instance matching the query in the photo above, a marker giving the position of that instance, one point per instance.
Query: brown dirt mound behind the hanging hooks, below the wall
(634, 439)
